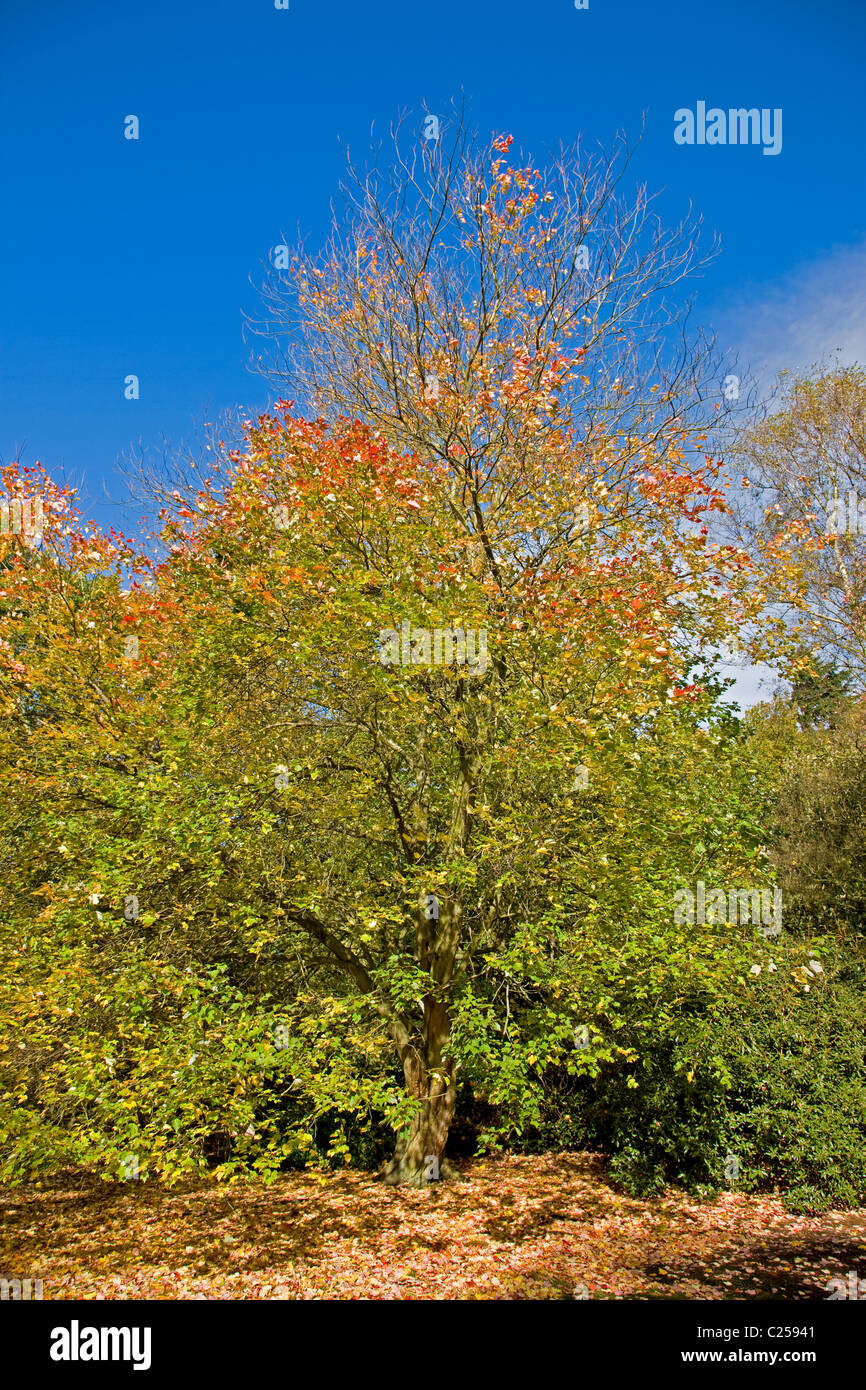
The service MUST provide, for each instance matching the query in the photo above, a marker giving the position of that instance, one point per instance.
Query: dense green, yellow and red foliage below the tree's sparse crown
(151, 1035)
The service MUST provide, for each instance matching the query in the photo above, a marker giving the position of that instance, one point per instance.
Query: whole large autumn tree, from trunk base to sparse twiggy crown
(337, 817)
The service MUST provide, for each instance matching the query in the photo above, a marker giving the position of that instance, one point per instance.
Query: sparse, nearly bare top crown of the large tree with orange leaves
(471, 306)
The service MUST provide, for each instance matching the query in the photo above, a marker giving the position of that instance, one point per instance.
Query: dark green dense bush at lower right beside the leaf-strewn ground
(768, 1093)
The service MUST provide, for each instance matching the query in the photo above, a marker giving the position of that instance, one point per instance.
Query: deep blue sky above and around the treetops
(120, 256)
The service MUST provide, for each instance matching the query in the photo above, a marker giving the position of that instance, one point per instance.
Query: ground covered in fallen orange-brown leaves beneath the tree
(511, 1228)
